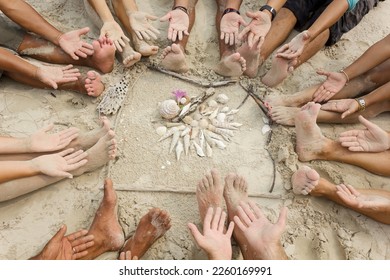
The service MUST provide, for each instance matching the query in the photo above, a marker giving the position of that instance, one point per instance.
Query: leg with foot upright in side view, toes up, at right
(311, 145)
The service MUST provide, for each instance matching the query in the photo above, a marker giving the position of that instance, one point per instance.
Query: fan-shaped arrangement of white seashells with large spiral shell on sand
(210, 126)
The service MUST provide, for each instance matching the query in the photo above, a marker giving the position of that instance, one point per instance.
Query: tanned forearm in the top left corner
(27, 17)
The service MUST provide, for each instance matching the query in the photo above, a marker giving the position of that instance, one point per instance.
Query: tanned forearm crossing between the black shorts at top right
(329, 17)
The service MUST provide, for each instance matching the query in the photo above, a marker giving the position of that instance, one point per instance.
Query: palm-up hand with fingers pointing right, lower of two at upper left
(53, 75)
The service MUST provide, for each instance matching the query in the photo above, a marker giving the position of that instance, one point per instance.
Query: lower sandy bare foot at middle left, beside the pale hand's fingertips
(99, 154)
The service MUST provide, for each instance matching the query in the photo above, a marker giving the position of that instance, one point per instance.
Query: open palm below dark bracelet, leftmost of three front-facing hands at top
(178, 24)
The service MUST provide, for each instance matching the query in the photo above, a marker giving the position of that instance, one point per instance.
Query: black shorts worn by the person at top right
(308, 11)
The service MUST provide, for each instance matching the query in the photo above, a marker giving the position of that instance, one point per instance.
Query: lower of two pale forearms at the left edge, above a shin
(11, 170)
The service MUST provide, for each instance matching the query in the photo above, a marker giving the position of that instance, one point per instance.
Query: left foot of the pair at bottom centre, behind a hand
(209, 192)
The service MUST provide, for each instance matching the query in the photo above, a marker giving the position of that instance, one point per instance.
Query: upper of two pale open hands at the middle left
(41, 141)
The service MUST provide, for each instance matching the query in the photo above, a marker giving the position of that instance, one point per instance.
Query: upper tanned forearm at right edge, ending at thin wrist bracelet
(372, 57)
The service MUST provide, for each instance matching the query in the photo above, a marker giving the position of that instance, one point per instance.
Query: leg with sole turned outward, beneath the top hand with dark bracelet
(173, 57)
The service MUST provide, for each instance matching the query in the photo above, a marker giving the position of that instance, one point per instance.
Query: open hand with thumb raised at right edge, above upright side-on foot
(371, 139)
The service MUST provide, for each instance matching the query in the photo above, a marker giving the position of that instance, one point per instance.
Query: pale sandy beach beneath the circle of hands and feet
(146, 175)
